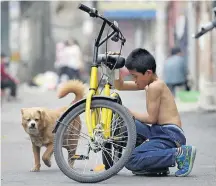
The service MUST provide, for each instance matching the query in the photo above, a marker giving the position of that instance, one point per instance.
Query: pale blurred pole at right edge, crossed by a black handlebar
(207, 87)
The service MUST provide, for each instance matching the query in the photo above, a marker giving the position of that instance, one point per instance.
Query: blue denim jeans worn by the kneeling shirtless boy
(159, 151)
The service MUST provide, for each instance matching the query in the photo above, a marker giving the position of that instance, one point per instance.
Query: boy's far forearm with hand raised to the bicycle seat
(120, 84)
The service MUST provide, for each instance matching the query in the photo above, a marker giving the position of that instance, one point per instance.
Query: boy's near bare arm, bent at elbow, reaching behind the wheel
(153, 105)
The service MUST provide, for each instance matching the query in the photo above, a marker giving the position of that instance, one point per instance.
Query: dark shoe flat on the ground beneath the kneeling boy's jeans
(153, 172)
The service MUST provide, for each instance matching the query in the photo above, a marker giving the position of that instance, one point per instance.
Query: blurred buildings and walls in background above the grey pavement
(34, 34)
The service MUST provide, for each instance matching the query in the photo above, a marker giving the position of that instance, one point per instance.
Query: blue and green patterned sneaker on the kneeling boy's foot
(186, 160)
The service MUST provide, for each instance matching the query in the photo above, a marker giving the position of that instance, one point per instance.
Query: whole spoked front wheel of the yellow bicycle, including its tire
(84, 162)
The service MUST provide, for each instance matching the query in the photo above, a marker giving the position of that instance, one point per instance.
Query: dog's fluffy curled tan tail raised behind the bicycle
(72, 86)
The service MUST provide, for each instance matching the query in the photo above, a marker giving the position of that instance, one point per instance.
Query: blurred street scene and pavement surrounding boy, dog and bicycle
(46, 42)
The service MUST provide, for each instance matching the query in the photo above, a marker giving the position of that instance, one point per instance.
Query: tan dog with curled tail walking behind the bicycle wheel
(39, 122)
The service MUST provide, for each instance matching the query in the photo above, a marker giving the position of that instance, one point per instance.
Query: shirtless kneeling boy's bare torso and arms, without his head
(160, 103)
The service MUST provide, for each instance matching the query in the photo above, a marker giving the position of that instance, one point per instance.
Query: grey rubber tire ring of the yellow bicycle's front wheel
(131, 129)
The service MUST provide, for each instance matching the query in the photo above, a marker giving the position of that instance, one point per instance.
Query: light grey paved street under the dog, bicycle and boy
(17, 157)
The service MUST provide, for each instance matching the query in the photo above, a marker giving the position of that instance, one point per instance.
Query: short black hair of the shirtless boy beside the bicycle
(141, 61)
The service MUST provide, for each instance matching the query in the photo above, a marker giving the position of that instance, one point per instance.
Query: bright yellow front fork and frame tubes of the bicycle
(91, 116)
